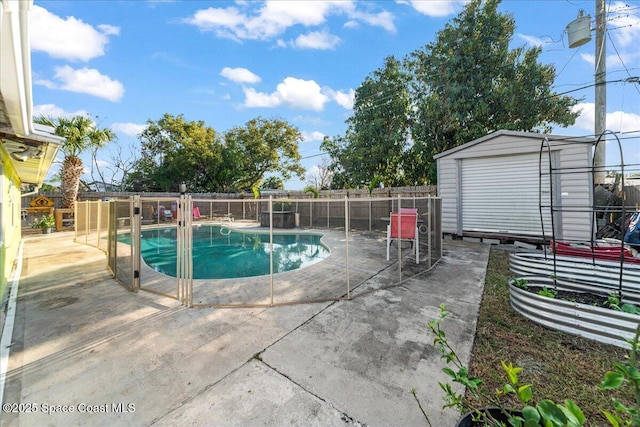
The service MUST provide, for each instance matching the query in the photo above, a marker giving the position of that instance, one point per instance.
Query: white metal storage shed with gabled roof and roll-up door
(496, 185)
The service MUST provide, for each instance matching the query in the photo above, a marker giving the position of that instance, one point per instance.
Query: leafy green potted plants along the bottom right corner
(523, 413)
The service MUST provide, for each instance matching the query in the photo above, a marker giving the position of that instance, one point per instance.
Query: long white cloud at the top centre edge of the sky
(273, 18)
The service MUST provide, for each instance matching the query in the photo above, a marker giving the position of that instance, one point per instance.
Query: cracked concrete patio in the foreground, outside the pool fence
(83, 344)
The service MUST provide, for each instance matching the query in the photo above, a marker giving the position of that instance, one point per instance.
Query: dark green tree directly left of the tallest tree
(377, 134)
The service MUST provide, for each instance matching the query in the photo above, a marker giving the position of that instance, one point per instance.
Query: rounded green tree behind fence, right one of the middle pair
(263, 146)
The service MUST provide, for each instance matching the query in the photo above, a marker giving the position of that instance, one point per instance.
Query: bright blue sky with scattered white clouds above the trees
(125, 62)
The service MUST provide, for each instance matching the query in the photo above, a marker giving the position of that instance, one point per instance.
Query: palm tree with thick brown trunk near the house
(80, 134)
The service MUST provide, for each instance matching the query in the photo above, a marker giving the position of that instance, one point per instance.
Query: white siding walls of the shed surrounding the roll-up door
(572, 181)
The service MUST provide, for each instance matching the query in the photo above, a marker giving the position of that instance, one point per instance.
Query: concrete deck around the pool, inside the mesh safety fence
(319, 282)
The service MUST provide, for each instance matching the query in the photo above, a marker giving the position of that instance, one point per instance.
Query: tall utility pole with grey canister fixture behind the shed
(579, 32)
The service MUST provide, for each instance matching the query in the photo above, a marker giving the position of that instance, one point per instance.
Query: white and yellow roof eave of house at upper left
(31, 148)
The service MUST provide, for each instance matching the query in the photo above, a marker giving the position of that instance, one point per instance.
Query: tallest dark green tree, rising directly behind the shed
(468, 83)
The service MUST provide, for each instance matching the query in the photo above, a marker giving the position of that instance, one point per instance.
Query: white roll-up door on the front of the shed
(501, 195)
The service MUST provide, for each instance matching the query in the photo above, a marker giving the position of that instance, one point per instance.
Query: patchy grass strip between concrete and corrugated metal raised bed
(560, 366)
